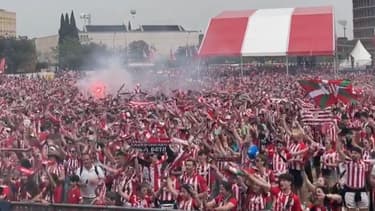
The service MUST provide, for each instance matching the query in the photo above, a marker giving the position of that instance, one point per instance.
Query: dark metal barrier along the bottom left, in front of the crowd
(24, 206)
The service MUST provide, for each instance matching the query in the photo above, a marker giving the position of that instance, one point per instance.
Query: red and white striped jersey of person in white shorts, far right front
(356, 174)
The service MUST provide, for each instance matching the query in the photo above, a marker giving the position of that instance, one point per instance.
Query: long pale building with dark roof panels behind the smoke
(163, 38)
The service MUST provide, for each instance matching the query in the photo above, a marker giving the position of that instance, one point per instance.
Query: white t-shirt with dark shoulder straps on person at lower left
(86, 176)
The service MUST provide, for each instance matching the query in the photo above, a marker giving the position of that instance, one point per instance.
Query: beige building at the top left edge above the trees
(7, 23)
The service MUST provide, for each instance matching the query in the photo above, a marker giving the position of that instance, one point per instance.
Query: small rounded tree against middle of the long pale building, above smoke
(139, 51)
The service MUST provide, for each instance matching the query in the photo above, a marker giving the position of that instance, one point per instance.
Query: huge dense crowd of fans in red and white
(186, 149)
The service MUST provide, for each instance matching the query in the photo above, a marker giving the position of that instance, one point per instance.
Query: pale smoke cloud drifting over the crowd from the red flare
(114, 74)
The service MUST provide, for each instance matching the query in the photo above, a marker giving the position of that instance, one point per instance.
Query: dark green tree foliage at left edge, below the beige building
(20, 54)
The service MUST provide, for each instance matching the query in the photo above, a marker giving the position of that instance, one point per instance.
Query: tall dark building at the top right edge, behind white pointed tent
(364, 23)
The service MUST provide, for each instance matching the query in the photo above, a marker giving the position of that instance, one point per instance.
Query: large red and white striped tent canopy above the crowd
(271, 32)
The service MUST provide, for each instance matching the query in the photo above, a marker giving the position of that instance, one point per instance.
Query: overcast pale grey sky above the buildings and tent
(37, 18)
